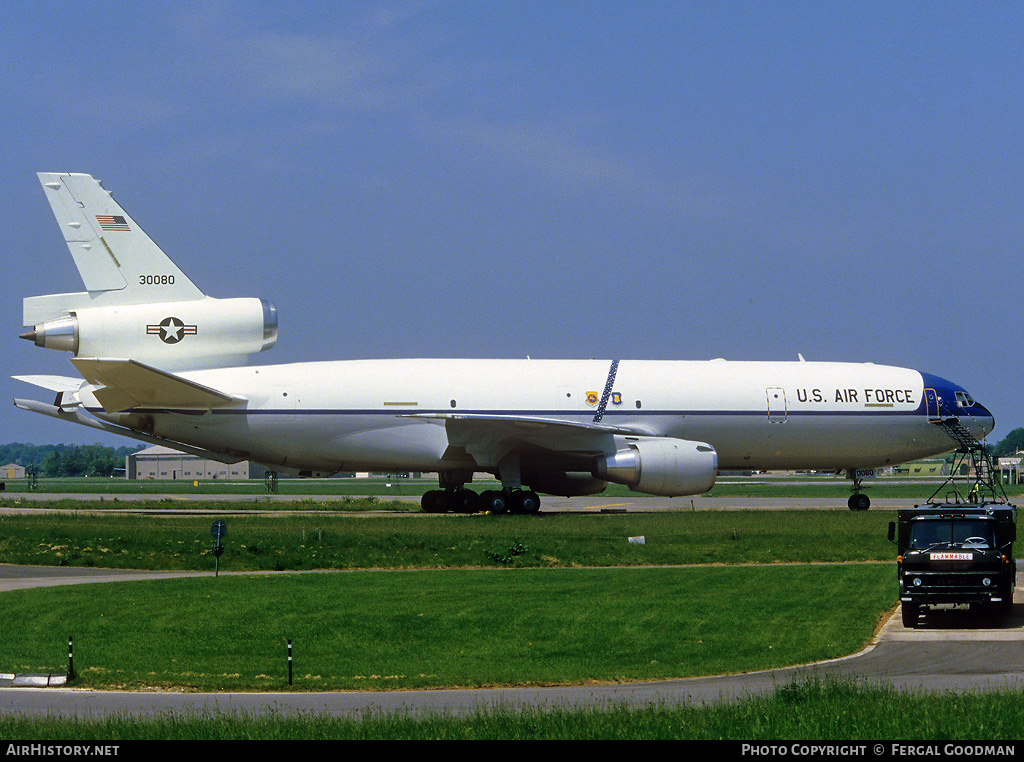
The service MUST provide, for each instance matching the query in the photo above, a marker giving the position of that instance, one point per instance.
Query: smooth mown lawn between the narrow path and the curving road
(377, 630)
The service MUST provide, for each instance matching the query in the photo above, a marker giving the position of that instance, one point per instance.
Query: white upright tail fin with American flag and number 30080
(118, 262)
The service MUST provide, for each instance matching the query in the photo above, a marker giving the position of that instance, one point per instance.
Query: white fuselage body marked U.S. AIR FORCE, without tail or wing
(359, 415)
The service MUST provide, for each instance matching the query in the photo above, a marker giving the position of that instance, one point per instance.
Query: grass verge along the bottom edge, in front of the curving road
(826, 712)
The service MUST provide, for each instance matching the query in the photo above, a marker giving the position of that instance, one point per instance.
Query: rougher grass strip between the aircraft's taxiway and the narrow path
(301, 542)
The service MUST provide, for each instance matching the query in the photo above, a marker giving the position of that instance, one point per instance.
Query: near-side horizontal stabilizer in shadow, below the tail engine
(127, 384)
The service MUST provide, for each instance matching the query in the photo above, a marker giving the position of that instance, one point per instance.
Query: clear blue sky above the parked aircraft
(677, 181)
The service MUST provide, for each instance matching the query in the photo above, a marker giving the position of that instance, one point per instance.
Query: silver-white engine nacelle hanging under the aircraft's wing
(661, 467)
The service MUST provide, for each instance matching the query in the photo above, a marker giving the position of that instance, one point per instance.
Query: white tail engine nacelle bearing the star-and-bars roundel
(202, 333)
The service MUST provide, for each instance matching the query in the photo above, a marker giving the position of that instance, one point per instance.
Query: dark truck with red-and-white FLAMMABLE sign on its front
(956, 554)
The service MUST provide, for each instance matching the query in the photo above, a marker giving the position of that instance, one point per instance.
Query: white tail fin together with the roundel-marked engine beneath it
(138, 305)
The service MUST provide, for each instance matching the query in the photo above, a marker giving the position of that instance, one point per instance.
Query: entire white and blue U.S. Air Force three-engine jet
(164, 364)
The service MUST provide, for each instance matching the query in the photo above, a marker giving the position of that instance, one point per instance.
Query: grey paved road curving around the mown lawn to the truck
(948, 652)
